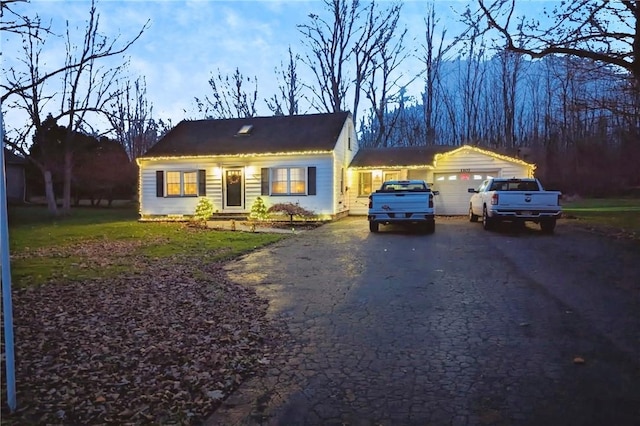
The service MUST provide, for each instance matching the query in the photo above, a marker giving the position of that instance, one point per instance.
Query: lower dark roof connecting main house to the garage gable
(398, 156)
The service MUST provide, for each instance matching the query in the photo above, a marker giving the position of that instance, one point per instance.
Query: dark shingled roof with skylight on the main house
(313, 132)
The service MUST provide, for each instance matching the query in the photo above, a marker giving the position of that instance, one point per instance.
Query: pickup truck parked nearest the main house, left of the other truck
(402, 202)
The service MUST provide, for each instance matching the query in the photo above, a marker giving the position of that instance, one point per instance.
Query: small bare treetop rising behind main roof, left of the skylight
(229, 98)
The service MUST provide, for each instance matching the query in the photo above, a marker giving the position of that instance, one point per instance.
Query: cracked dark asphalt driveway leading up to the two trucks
(462, 327)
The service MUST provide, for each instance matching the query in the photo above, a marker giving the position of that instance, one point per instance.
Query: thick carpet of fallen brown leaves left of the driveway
(163, 344)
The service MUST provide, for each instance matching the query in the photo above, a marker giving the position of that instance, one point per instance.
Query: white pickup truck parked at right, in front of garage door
(515, 200)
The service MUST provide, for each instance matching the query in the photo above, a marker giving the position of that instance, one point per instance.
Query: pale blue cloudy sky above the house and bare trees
(187, 41)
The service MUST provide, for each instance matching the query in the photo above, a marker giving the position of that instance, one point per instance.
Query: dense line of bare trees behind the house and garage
(565, 96)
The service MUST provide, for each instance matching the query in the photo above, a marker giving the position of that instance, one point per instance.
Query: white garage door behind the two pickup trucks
(454, 197)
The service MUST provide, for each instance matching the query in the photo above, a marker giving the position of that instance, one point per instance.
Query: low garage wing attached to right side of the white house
(449, 170)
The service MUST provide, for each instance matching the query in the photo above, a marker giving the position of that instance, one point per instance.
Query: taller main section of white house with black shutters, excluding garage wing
(301, 159)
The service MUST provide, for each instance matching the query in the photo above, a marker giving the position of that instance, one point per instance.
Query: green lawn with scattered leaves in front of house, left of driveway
(100, 242)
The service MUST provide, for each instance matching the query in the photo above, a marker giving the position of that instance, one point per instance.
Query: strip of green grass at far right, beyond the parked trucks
(616, 213)
